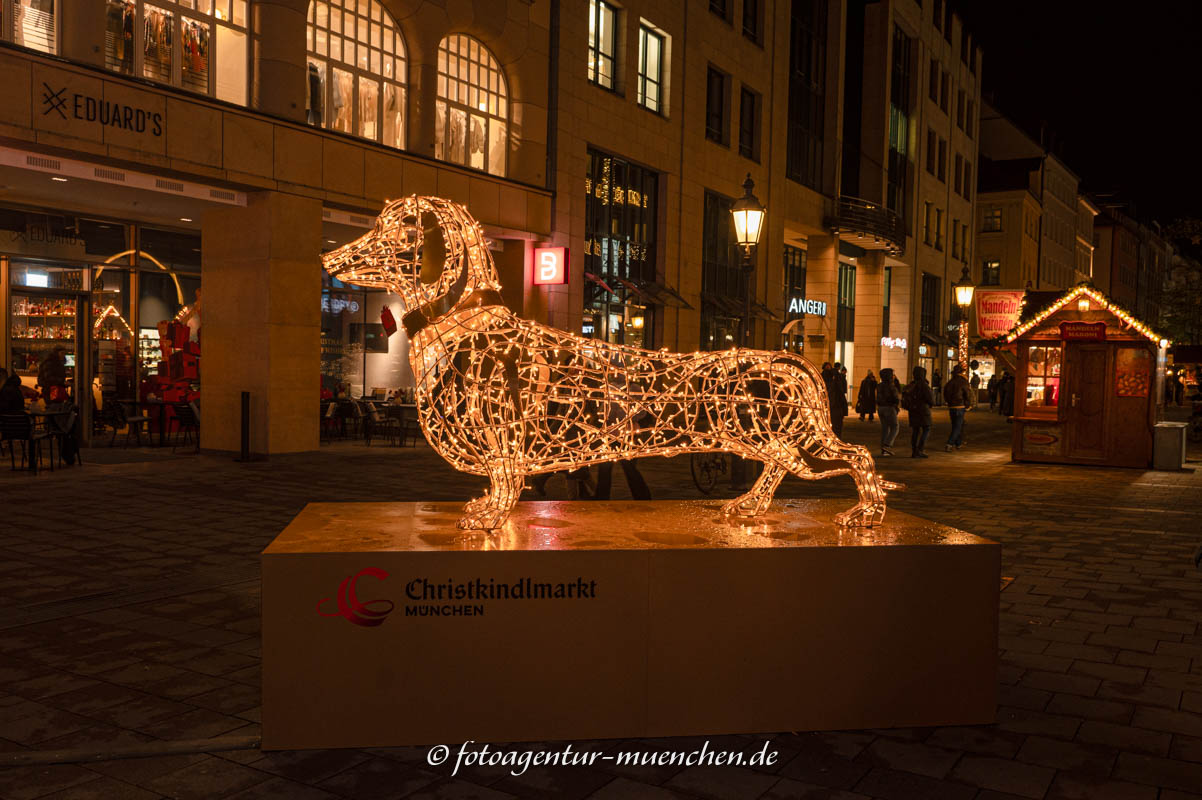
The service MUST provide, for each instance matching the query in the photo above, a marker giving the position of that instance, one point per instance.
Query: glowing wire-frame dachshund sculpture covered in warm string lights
(508, 398)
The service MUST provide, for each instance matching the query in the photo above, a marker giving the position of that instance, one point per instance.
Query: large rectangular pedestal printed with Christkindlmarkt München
(384, 626)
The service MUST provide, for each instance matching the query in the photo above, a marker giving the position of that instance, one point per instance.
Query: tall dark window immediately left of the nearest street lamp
(723, 283)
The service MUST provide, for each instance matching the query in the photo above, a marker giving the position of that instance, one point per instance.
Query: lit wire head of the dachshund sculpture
(427, 250)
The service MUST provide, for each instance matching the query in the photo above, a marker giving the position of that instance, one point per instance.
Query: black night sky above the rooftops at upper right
(1121, 86)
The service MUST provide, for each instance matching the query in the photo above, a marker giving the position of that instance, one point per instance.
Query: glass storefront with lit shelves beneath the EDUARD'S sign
(102, 312)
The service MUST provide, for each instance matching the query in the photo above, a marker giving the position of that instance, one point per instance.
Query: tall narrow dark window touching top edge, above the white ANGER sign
(807, 92)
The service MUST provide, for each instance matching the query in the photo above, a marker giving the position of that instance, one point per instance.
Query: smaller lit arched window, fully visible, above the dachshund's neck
(473, 106)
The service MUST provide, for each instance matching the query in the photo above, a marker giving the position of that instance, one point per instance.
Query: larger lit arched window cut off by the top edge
(356, 70)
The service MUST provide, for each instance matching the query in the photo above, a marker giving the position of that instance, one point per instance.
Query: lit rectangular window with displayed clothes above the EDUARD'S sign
(195, 45)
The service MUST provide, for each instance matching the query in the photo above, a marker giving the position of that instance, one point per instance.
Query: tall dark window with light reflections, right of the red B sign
(621, 211)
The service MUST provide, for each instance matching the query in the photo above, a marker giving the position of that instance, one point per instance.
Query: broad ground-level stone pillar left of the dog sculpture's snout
(261, 324)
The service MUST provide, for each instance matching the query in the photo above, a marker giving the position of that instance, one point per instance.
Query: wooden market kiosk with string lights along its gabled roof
(1088, 381)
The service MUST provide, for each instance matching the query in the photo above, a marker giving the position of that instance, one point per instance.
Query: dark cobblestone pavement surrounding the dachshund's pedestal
(129, 617)
